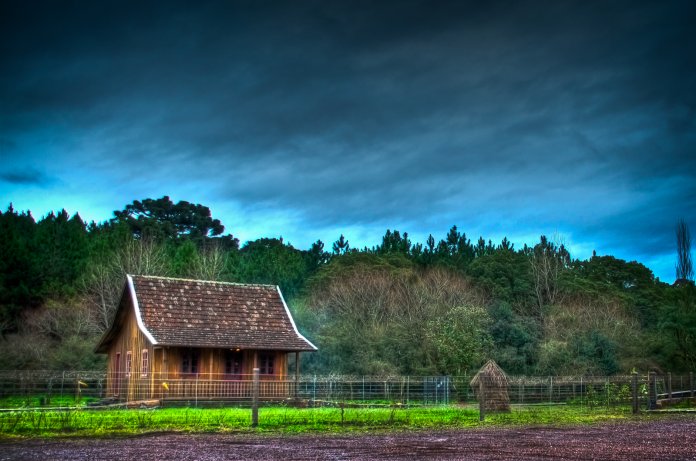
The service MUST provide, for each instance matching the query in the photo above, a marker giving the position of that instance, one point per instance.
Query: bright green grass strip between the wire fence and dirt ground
(80, 422)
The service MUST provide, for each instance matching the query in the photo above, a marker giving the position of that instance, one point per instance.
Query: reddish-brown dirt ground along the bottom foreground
(661, 439)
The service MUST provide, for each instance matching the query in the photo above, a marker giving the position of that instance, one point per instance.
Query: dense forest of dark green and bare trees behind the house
(438, 307)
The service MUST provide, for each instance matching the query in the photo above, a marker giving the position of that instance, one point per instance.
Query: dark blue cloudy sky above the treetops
(308, 119)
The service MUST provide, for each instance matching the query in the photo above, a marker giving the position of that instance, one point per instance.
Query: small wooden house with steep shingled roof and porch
(176, 338)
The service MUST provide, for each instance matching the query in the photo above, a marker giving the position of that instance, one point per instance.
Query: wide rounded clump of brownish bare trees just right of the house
(381, 320)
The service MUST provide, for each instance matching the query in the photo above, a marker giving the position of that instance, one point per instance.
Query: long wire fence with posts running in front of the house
(69, 388)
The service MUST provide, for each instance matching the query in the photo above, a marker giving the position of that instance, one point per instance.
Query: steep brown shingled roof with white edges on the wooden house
(195, 313)
